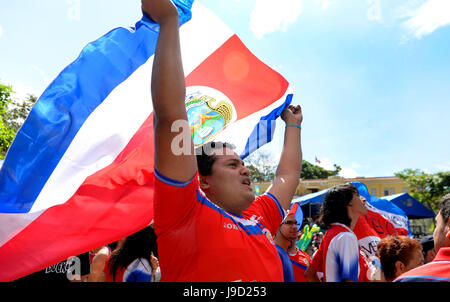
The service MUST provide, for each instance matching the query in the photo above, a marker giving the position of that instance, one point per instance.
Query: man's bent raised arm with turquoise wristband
(288, 171)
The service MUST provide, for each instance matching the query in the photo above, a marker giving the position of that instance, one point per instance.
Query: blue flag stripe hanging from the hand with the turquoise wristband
(264, 129)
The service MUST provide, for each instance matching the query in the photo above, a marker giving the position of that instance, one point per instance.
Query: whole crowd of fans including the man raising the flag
(209, 225)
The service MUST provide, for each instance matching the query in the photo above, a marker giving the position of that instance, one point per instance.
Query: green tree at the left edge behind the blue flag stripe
(12, 115)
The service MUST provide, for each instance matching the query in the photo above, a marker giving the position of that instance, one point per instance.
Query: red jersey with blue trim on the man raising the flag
(198, 241)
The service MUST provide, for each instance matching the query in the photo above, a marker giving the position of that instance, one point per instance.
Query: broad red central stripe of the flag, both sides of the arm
(117, 200)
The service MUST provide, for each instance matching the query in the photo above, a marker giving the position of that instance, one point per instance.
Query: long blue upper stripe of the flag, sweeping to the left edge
(66, 104)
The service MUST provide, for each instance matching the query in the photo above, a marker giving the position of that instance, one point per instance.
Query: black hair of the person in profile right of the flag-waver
(334, 207)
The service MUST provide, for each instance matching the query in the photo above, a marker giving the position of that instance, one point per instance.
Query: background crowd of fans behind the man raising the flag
(335, 257)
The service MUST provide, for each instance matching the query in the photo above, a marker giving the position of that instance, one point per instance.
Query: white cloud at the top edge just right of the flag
(269, 16)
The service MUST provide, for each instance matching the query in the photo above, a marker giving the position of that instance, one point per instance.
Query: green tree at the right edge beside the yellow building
(426, 188)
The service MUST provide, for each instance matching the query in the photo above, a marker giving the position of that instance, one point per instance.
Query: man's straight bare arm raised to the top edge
(168, 94)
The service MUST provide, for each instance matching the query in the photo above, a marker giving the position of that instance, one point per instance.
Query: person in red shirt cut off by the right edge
(437, 270)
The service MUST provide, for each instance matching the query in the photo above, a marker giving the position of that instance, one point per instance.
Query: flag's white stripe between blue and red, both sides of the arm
(113, 123)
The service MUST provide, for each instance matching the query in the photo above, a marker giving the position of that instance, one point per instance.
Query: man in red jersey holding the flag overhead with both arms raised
(209, 225)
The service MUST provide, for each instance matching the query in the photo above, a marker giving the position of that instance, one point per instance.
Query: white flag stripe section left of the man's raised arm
(101, 138)
